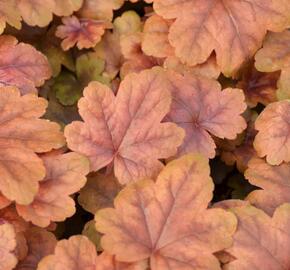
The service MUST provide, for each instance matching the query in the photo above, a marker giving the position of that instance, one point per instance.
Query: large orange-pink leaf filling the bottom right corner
(267, 238)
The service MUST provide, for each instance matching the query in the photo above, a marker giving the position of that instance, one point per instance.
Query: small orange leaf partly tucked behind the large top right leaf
(155, 37)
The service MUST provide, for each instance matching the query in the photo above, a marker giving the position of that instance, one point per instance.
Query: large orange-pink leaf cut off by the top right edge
(233, 29)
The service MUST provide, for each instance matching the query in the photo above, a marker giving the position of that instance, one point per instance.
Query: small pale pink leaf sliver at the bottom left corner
(7, 245)
